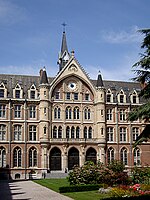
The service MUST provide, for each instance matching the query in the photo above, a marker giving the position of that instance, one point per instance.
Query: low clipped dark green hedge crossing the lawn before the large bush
(78, 188)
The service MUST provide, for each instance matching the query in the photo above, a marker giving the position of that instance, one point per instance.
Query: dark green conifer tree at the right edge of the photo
(142, 72)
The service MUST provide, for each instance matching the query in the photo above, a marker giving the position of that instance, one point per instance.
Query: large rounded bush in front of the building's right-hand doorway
(91, 173)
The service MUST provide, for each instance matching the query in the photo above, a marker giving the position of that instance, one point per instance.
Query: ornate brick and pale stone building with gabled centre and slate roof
(50, 124)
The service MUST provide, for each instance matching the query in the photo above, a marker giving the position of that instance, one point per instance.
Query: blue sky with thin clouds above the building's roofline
(103, 34)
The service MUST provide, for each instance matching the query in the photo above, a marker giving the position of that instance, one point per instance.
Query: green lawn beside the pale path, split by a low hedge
(54, 184)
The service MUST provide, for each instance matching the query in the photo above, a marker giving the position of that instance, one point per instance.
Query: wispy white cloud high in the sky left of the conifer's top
(123, 36)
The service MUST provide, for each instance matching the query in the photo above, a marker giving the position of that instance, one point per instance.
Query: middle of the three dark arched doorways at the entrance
(73, 158)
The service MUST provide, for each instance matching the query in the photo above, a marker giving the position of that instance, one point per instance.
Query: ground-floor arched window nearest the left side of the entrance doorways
(32, 157)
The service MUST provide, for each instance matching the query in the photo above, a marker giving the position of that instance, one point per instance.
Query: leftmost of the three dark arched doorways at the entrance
(55, 159)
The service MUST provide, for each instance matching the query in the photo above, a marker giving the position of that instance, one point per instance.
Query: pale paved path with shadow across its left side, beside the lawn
(27, 190)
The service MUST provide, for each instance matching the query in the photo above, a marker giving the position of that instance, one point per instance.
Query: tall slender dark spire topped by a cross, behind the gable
(64, 54)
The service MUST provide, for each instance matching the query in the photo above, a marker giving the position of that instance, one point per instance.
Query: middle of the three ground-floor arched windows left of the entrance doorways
(17, 157)
